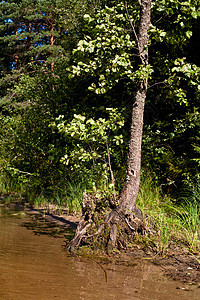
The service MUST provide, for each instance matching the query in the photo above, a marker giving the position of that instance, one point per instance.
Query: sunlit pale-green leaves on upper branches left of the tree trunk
(107, 50)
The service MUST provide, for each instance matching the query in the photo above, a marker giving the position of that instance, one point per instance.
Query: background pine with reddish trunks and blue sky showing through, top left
(35, 35)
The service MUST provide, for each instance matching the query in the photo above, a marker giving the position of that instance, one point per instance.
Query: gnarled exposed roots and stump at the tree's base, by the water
(112, 229)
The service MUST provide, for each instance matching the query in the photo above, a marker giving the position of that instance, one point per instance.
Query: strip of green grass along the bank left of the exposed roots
(13, 188)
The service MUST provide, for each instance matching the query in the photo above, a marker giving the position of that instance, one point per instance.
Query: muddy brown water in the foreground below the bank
(34, 265)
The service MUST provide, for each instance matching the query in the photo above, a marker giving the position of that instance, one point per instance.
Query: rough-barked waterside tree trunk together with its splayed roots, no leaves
(127, 208)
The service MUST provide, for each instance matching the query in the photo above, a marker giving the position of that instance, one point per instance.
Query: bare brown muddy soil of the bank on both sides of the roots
(176, 263)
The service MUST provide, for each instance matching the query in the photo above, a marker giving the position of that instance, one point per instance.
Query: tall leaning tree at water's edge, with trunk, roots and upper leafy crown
(110, 53)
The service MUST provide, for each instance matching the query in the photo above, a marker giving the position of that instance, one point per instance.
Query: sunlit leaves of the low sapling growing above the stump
(92, 140)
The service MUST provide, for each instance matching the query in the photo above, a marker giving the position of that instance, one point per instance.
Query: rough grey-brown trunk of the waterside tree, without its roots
(130, 190)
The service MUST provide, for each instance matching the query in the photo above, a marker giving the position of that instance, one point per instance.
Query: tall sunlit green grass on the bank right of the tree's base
(174, 224)
